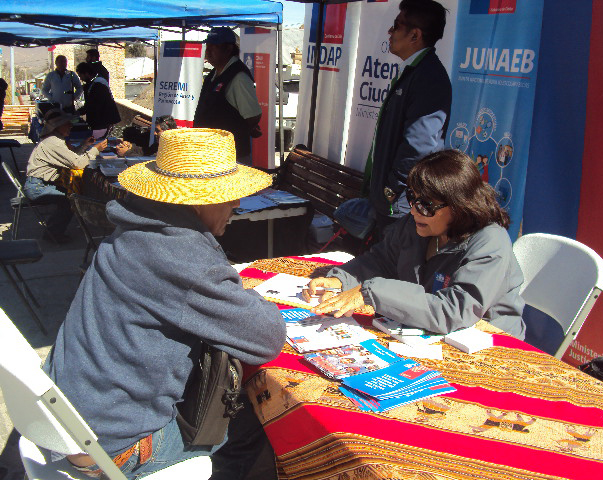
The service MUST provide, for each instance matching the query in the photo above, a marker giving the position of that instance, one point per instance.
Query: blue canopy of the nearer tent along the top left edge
(99, 15)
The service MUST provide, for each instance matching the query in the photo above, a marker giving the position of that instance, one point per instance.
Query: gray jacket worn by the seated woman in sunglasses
(459, 285)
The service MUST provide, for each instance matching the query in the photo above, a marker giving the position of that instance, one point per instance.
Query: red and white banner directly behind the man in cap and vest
(258, 48)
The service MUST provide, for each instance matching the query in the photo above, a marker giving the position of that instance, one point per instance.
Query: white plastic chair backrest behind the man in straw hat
(23, 383)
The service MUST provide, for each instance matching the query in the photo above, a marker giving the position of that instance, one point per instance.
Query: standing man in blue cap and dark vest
(228, 100)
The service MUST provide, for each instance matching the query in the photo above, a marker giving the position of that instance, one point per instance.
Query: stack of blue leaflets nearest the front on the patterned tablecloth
(402, 382)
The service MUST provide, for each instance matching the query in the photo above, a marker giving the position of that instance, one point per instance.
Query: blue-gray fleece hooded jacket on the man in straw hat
(156, 286)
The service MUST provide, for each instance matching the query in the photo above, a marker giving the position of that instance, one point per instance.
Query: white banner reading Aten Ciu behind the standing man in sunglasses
(376, 69)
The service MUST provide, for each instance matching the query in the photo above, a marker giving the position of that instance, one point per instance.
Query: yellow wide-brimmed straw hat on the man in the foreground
(194, 166)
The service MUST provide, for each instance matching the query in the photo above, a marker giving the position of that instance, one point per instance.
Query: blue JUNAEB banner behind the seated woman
(493, 82)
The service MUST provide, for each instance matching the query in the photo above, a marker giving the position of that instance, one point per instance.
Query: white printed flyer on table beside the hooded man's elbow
(320, 332)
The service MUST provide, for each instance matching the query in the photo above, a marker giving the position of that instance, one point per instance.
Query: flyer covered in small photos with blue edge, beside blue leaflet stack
(348, 360)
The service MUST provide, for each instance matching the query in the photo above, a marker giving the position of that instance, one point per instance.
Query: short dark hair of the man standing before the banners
(428, 16)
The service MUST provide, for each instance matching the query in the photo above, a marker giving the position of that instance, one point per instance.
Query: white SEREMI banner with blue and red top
(179, 79)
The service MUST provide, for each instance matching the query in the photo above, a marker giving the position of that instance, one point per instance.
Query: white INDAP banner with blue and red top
(336, 62)
